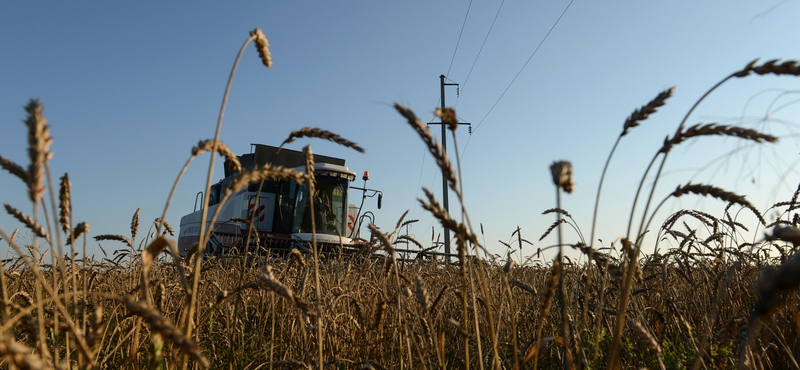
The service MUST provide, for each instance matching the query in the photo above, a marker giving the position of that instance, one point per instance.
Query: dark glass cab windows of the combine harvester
(330, 207)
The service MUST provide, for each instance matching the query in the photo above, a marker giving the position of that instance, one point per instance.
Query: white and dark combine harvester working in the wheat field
(280, 211)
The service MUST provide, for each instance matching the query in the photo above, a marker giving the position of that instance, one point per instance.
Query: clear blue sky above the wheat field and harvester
(129, 88)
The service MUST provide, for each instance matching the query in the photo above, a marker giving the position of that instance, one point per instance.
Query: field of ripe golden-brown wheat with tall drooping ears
(710, 300)
